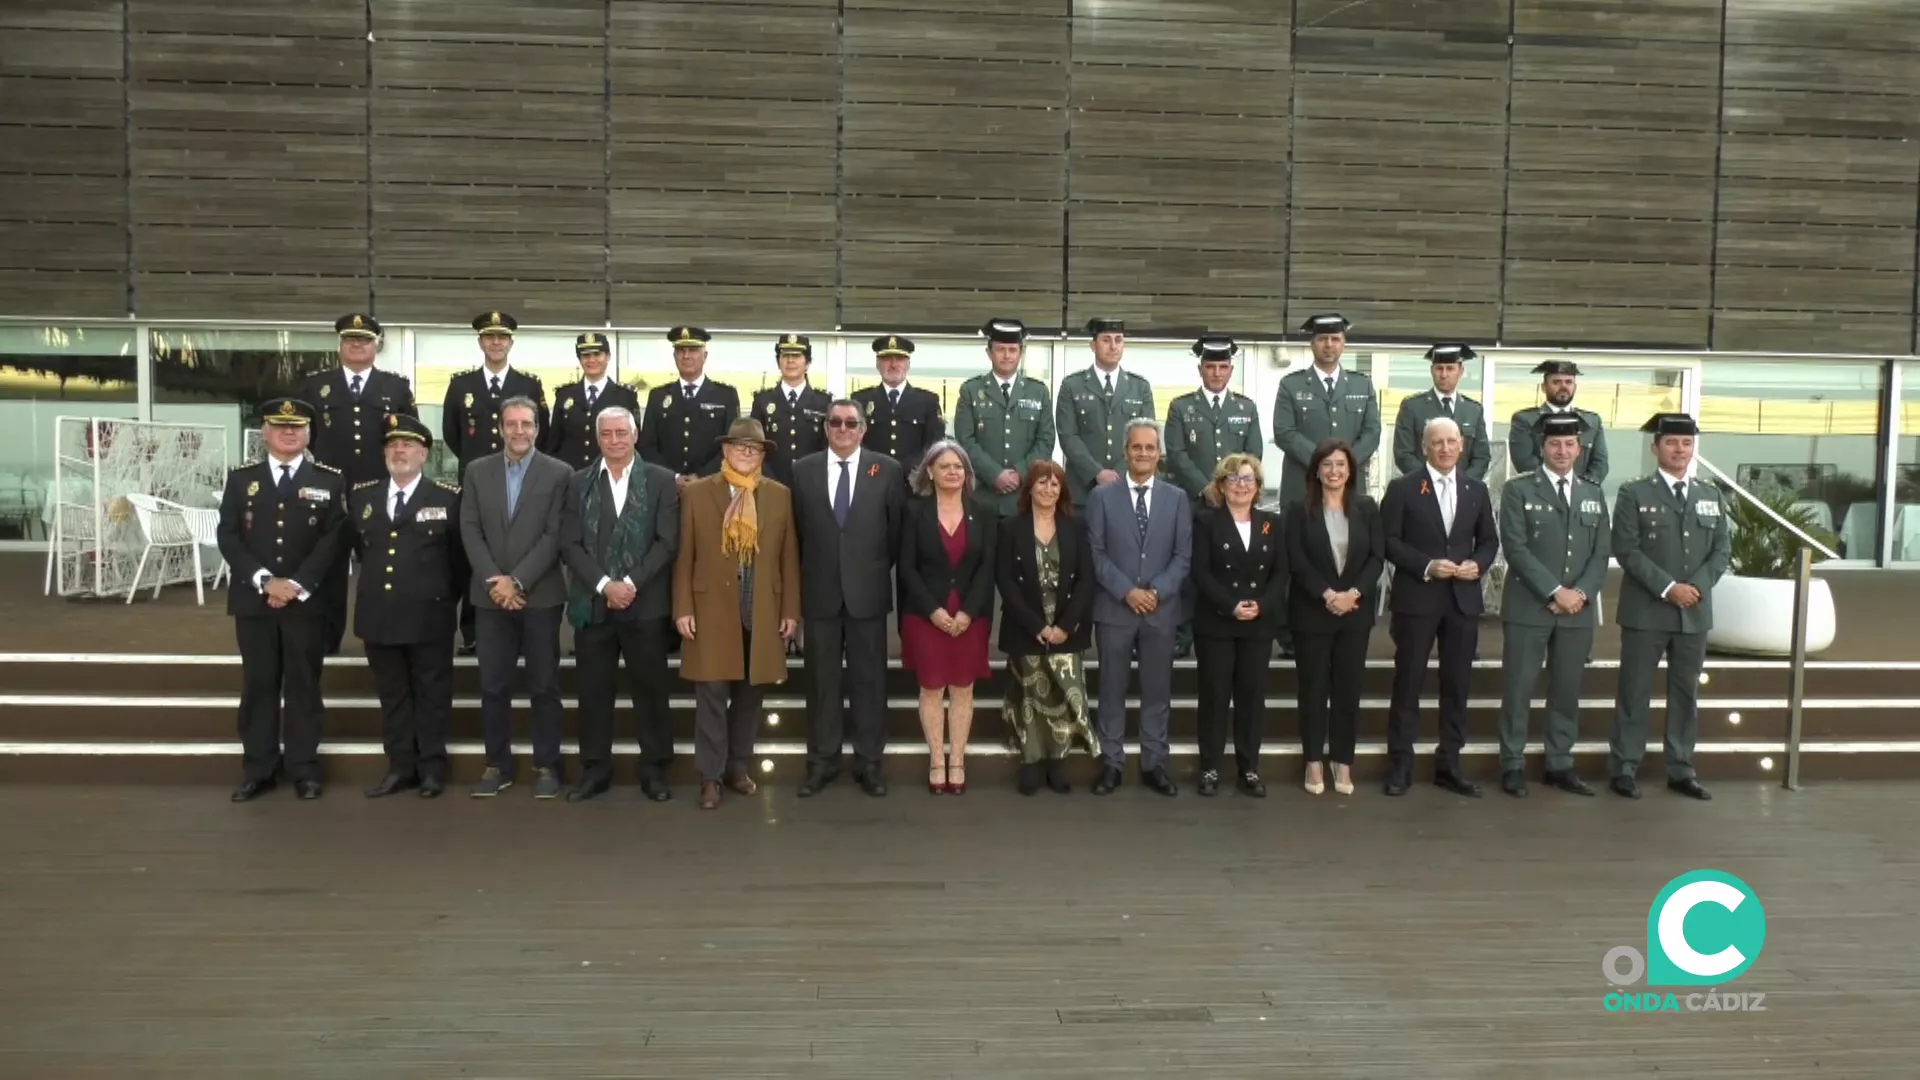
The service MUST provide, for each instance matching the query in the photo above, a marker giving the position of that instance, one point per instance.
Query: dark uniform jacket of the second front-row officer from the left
(410, 568)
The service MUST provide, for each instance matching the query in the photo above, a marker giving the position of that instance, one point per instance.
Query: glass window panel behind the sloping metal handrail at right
(1806, 431)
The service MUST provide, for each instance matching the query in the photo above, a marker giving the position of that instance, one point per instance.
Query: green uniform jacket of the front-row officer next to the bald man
(1552, 547)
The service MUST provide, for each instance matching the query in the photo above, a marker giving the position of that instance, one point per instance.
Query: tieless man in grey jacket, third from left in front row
(512, 526)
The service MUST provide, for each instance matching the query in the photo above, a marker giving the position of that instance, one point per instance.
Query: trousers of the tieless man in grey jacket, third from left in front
(506, 639)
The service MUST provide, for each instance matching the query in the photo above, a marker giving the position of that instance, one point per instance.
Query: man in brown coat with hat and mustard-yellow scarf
(736, 604)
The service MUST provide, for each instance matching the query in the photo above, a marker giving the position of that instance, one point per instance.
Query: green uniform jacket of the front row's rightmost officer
(1662, 543)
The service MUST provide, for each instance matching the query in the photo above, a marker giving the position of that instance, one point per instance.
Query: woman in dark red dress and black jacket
(946, 577)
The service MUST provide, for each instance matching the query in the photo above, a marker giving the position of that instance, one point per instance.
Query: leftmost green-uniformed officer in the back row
(1005, 422)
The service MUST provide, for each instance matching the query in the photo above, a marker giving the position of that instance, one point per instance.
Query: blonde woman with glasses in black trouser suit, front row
(1239, 570)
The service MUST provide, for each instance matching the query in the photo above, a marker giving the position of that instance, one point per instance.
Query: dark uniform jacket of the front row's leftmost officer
(295, 537)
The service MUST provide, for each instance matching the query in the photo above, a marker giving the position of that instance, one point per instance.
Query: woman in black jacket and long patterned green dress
(1045, 574)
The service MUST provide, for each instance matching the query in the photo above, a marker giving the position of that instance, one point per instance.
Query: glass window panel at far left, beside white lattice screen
(45, 374)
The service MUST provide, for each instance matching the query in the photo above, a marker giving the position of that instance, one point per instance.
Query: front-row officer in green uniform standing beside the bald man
(1554, 528)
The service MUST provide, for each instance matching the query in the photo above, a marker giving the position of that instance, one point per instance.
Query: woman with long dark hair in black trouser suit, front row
(1337, 549)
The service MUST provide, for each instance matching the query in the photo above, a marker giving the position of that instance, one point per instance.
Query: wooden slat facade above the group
(1694, 174)
